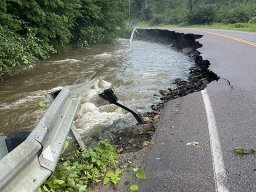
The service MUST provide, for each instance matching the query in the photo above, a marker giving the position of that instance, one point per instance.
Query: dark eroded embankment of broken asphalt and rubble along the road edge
(135, 138)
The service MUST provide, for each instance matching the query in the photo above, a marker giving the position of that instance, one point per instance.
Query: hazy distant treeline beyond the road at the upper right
(193, 11)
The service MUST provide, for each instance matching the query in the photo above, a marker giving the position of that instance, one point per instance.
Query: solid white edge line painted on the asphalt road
(220, 175)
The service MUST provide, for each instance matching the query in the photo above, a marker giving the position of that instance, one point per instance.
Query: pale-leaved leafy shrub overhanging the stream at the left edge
(16, 50)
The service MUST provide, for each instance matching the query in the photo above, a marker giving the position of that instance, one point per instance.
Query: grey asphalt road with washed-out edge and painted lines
(220, 118)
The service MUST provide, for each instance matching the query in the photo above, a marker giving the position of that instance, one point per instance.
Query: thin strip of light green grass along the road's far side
(249, 27)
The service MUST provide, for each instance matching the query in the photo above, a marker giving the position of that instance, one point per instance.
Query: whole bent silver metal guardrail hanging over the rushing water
(27, 166)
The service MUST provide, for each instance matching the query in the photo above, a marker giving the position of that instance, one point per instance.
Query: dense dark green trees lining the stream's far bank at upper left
(34, 29)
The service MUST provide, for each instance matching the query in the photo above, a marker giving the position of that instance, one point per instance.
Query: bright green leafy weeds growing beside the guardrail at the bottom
(81, 171)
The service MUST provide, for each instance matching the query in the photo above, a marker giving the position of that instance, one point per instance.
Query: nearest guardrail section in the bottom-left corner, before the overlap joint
(20, 169)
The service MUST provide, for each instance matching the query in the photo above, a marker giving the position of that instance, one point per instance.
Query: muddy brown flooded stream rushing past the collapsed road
(135, 73)
